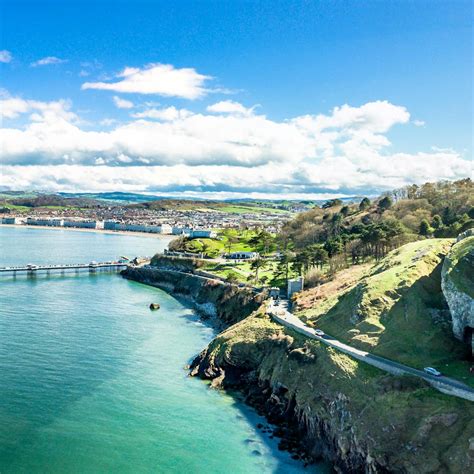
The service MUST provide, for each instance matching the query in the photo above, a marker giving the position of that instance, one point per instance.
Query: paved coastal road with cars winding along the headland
(446, 385)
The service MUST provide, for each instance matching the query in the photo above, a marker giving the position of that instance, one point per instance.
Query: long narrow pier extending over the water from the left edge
(92, 267)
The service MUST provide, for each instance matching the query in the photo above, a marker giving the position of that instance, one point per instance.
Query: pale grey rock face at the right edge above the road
(458, 288)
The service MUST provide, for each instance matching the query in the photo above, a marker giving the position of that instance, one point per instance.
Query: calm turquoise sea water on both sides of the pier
(92, 381)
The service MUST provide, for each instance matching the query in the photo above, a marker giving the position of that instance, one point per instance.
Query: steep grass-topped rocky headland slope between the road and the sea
(358, 418)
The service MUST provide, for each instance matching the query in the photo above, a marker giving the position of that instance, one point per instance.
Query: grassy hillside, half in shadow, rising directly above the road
(396, 310)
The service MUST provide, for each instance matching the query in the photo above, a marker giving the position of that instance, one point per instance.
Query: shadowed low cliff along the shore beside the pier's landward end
(226, 304)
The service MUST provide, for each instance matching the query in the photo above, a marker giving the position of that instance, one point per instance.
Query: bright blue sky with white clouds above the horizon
(234, 99)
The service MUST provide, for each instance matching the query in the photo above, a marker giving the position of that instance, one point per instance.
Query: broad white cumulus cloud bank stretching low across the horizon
(344, 151)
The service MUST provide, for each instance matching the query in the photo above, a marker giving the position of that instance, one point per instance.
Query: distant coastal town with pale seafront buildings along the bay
(193, 222)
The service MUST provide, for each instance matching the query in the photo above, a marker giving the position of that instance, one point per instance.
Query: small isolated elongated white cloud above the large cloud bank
(160, 79)
